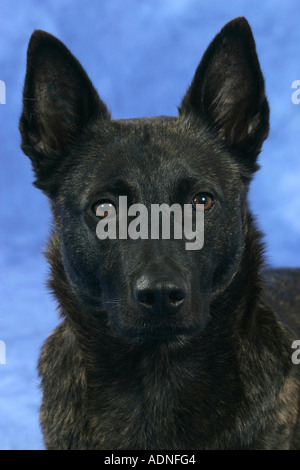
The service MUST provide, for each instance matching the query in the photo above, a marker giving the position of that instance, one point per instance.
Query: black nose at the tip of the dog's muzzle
(160, 295)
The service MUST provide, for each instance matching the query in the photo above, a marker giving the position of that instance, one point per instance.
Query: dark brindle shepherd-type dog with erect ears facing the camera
(160, 347)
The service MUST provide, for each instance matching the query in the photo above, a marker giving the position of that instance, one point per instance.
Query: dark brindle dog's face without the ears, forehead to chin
(148, 283)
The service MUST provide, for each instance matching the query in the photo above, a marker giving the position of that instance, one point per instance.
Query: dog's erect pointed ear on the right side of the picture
(227, 92)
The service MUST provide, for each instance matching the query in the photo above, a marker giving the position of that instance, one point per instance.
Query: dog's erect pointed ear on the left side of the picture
(59, 102)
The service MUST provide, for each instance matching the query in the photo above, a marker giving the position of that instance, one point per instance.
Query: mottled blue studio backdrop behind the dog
(141, 56)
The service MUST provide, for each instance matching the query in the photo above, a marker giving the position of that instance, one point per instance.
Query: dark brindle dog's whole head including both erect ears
(84, 161)
